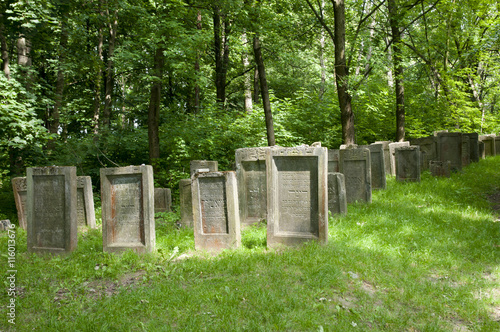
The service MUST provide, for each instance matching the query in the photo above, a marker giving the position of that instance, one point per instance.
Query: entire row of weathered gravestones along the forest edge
(292, 188)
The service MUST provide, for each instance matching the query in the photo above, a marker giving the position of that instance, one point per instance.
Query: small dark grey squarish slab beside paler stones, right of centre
(408, 163)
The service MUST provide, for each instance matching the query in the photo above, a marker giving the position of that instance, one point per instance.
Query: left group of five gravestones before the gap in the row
(53, 203)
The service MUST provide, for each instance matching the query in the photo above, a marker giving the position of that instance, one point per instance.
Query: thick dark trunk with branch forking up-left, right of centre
(342, 74)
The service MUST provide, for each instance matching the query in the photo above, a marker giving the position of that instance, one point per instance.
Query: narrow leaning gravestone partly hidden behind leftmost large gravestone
(85, 202)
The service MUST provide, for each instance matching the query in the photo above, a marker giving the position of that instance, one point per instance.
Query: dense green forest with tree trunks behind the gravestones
(105, 83)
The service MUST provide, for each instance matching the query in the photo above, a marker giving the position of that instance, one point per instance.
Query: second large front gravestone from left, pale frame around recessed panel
(127, 195)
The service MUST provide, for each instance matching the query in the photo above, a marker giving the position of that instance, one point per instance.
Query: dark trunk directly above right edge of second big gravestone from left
(154, 109)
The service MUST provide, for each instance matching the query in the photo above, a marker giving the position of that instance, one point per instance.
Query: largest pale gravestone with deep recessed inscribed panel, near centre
(297, 192)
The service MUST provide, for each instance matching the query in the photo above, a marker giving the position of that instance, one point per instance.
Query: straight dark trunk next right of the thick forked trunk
(398, 71)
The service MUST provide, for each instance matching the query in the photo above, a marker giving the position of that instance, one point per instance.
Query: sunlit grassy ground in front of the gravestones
(422, 257)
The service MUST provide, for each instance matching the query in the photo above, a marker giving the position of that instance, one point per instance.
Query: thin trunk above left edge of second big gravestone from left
(108, 98)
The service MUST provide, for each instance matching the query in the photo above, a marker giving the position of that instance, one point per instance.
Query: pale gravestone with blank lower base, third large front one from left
(215, 211)
